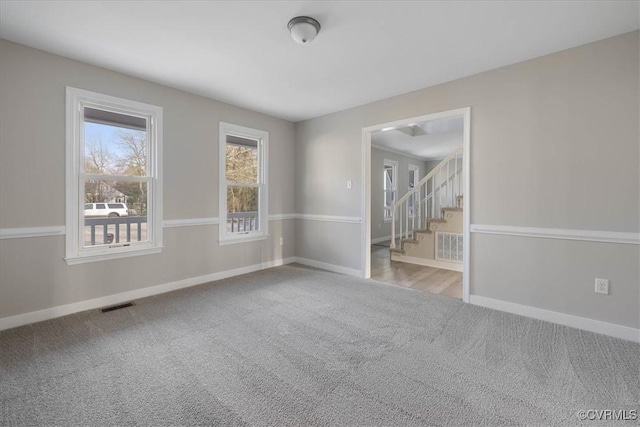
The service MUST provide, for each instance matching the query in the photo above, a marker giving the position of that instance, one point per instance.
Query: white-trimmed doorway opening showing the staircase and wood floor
(420, 207)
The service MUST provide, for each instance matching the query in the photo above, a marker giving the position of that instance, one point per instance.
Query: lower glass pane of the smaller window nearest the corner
(242, 209)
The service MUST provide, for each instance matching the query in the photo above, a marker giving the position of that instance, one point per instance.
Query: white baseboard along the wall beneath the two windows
(63, 310)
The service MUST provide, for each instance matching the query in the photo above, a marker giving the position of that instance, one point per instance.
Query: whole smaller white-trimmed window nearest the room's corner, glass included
(243, 184)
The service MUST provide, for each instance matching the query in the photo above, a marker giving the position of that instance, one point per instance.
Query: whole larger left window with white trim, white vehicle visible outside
(114, 181)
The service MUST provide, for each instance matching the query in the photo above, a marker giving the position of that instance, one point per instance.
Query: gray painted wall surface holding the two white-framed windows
(33, 274)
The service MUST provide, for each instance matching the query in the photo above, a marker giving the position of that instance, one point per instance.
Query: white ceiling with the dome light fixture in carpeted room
(241, 52)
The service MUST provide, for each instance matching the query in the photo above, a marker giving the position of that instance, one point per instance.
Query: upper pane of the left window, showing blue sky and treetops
(115, 145)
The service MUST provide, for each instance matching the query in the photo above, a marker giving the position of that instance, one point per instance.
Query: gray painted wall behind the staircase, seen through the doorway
(380, 228)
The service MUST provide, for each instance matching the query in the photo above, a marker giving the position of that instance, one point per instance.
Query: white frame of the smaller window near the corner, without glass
(262, 138)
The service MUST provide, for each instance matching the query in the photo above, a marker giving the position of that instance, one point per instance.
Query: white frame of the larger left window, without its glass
(76, 101)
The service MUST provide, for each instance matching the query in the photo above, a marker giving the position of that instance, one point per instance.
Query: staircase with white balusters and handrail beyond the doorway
(429, 218)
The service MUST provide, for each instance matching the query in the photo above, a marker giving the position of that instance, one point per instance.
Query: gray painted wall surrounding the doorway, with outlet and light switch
(550, 137)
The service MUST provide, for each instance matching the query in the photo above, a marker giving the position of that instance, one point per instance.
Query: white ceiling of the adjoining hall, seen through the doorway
(431, 140)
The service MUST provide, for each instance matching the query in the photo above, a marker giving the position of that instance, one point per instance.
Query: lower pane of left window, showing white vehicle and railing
(115, 223)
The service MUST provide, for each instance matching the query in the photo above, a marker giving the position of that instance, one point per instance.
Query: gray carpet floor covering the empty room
(298, 346)
